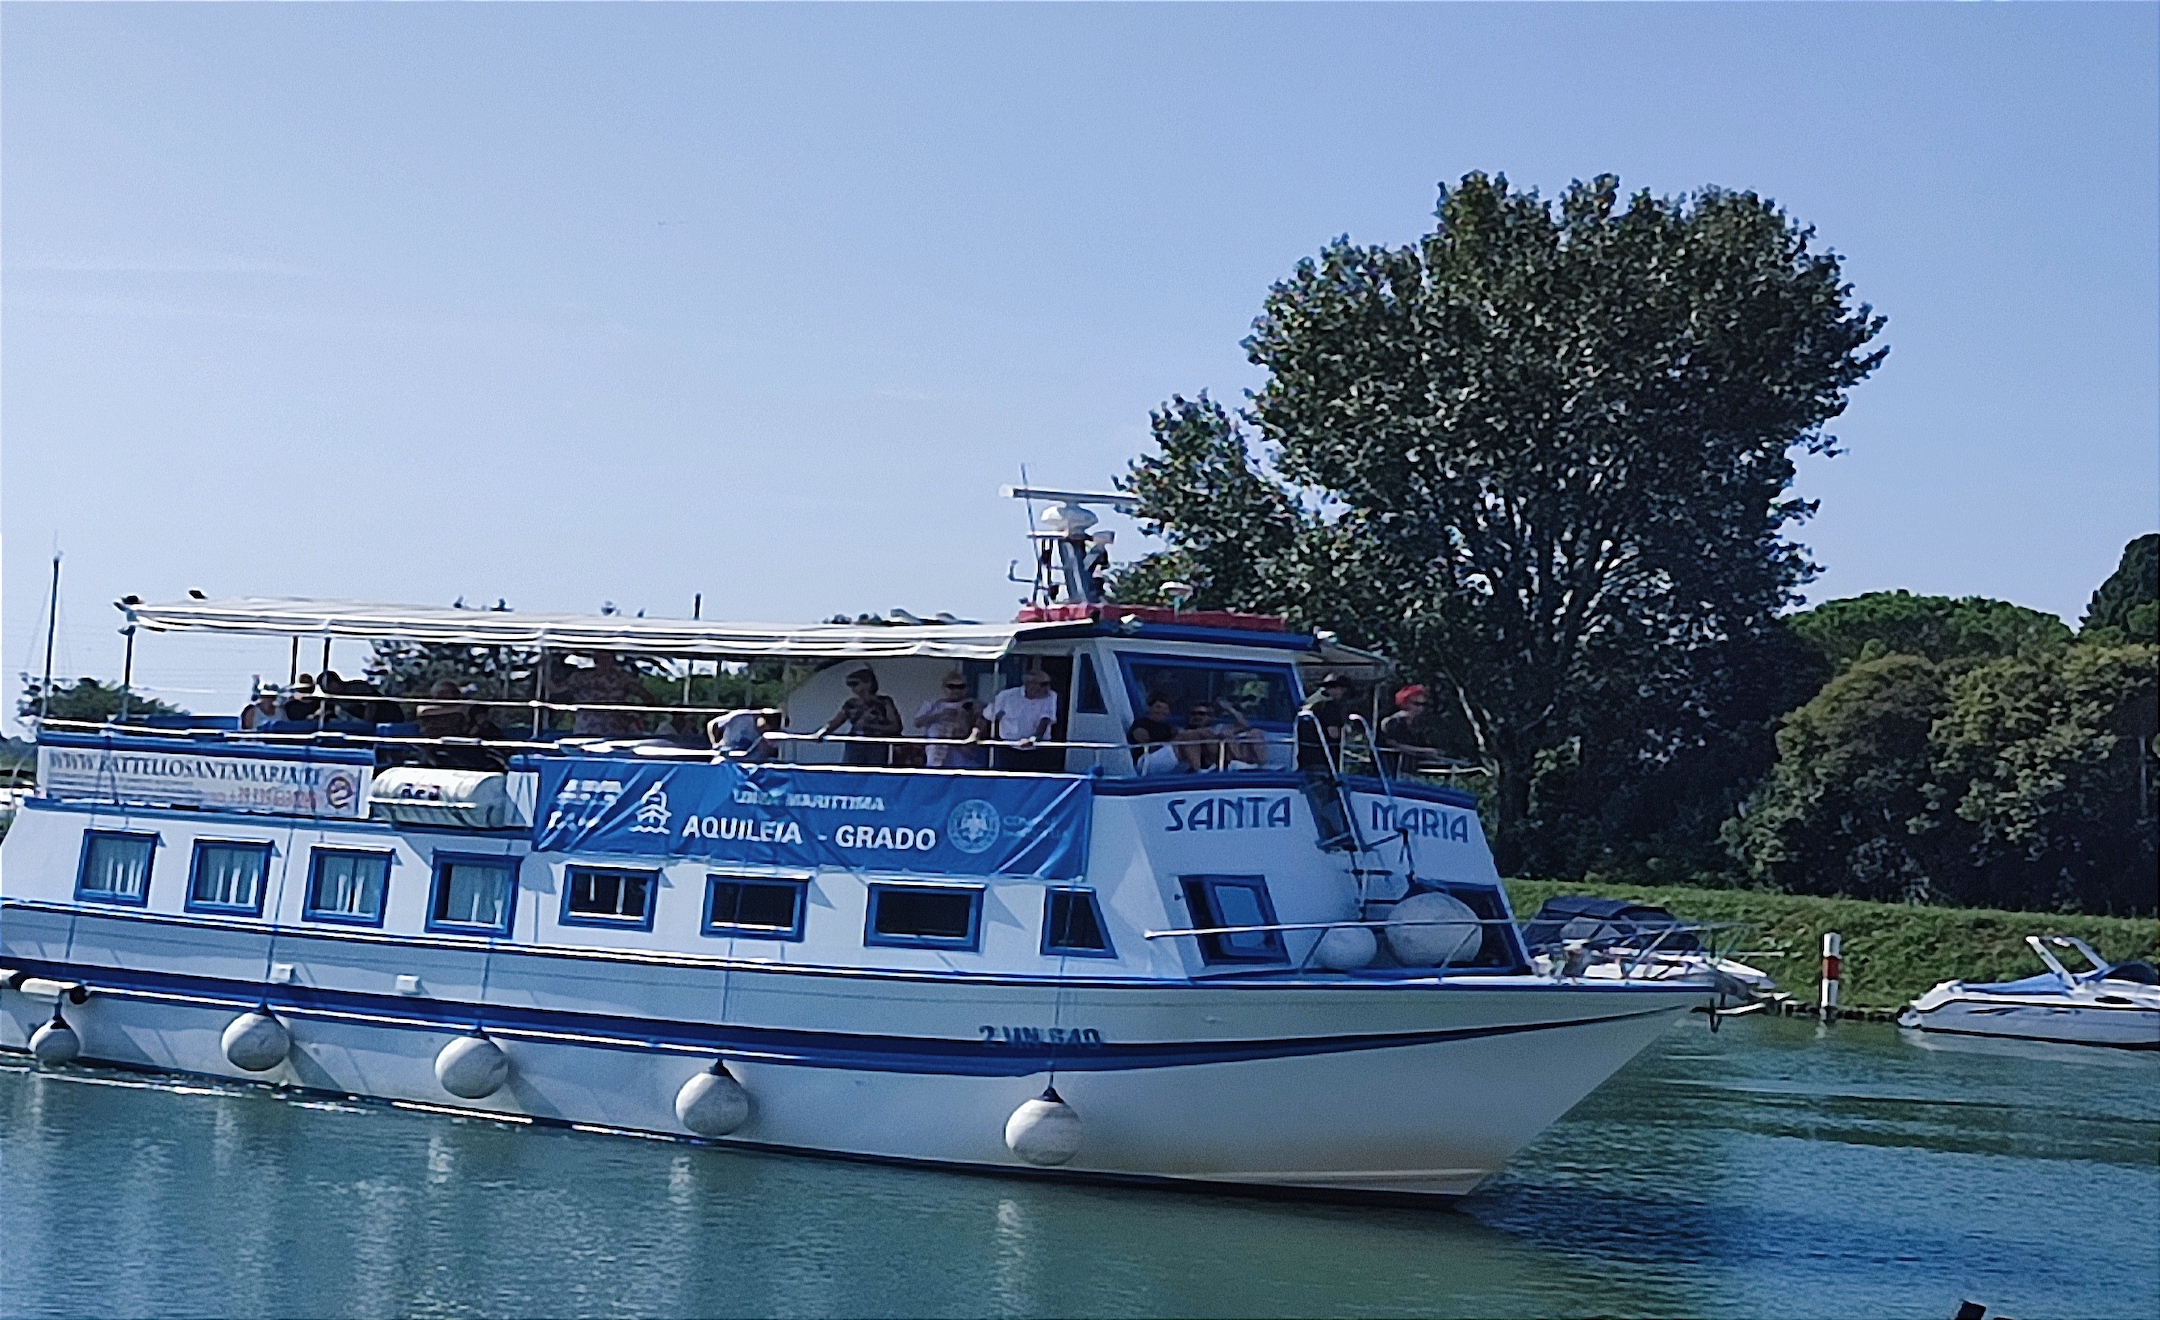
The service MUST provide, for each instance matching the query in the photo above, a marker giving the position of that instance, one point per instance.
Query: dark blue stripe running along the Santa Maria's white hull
(811, 1049)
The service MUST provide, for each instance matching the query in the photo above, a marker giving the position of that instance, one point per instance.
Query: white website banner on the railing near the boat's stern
(208, 783)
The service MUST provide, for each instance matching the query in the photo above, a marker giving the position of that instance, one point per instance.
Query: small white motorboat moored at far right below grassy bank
(2105, 1006)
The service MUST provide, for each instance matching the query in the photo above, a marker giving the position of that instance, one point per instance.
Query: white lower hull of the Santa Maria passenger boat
(1247, 1086)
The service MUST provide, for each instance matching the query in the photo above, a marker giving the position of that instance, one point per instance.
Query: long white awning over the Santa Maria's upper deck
(282, 617)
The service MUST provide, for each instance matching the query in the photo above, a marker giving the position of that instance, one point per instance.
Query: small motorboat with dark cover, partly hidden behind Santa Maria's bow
(1580, 937)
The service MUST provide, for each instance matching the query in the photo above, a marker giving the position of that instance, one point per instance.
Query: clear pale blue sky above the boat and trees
(623, 304)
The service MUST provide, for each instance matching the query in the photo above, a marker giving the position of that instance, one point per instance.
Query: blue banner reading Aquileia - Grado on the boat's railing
(789, 816)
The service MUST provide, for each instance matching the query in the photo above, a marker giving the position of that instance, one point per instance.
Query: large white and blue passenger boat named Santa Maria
(1284, 978)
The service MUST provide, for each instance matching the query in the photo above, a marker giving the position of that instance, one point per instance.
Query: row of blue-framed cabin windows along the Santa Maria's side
(476, 895)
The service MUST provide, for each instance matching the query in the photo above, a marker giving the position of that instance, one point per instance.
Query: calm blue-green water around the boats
(1774, 1170)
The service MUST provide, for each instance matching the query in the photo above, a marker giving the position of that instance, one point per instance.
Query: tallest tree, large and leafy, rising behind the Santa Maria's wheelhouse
(1541, 457)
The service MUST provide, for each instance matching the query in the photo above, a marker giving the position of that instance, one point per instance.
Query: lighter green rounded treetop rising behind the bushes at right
(1934, 628)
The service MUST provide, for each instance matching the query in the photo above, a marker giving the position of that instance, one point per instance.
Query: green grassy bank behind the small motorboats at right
(1893, 952)
